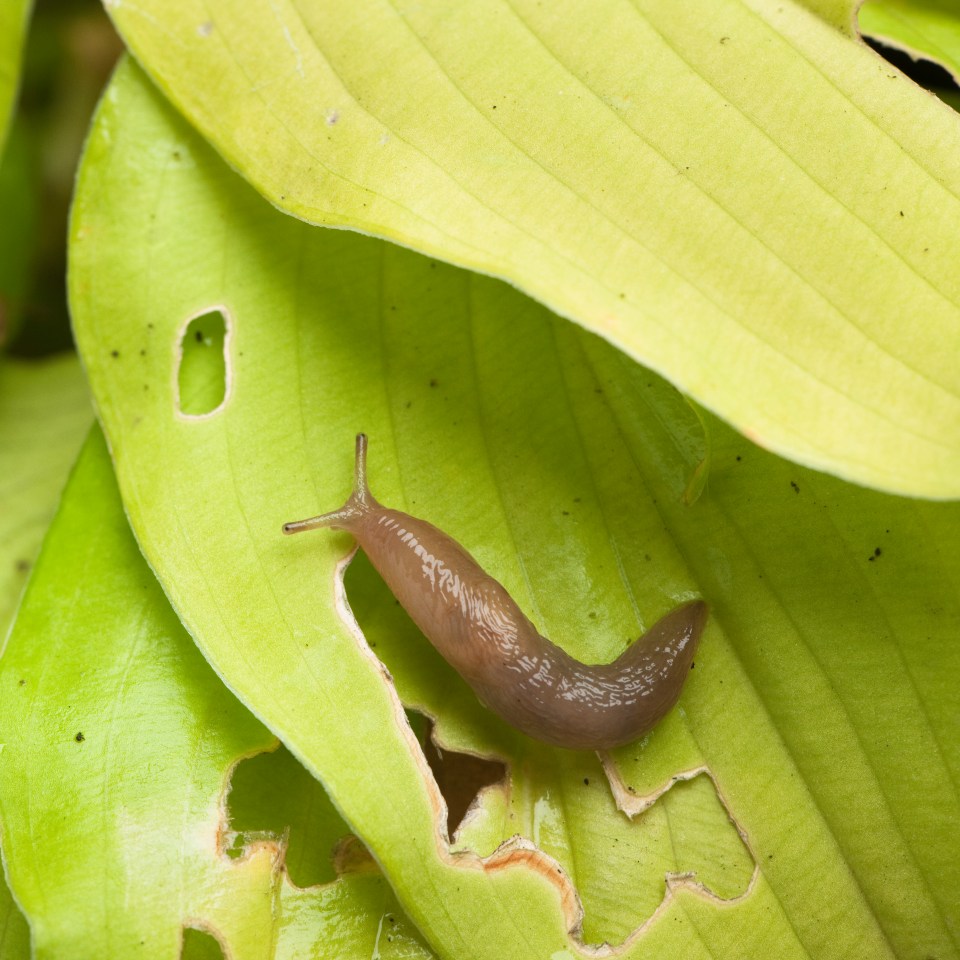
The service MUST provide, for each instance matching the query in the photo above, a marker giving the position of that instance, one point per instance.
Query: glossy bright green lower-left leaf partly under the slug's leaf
(117, 744)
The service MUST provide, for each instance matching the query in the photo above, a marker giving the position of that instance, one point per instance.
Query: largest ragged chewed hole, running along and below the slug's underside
(559, 800)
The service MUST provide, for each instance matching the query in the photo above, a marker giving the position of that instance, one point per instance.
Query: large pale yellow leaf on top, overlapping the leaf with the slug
(739, 194)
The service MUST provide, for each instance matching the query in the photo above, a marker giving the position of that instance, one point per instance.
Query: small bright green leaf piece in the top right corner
(923, 28)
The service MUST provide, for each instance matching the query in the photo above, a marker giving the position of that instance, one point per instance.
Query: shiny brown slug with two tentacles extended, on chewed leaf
(482, 633)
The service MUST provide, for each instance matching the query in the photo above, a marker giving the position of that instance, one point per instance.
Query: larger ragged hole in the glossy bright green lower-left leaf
(273, 798)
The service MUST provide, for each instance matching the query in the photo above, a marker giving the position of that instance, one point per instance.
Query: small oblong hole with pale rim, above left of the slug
(203, 377)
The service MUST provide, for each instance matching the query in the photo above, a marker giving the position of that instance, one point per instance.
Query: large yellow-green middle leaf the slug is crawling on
(817, 731)
